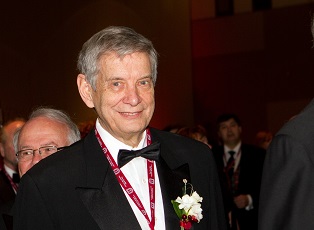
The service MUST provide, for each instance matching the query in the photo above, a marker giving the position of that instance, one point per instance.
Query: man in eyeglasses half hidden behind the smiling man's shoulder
(46, 132)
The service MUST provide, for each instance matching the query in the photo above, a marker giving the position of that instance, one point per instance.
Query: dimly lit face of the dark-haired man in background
(230, 132)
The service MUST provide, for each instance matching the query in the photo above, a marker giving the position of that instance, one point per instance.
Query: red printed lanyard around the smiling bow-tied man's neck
(123, 181)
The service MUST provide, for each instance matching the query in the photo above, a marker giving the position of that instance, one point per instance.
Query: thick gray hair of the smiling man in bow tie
(118, 39)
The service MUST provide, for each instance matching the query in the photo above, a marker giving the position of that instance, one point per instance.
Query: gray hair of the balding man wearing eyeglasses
(55, 115)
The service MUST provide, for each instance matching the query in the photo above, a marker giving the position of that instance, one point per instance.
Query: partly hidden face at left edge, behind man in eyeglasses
(7, 148)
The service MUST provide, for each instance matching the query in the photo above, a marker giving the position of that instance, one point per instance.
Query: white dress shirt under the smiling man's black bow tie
(136, 173)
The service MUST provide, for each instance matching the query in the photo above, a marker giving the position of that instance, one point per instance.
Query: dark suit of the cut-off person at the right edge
(287, 193)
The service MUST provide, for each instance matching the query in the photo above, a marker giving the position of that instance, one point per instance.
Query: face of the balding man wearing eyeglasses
(39, 132)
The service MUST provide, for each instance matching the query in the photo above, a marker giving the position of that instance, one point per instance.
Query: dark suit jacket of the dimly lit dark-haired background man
(250, 172)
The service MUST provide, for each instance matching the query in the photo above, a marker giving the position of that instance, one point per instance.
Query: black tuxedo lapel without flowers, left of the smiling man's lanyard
(101, 193)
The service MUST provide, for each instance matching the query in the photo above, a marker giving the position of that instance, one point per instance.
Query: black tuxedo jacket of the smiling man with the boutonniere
(77, 189)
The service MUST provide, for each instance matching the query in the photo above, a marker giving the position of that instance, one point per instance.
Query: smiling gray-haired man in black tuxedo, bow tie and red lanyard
(97, 183)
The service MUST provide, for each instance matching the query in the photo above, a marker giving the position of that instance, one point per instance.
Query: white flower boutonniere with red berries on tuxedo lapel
(188, 207)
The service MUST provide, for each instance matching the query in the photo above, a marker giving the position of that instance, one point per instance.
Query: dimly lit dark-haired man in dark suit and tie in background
(240, 168)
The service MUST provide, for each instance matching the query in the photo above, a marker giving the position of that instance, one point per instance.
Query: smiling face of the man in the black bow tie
(124, 96)
